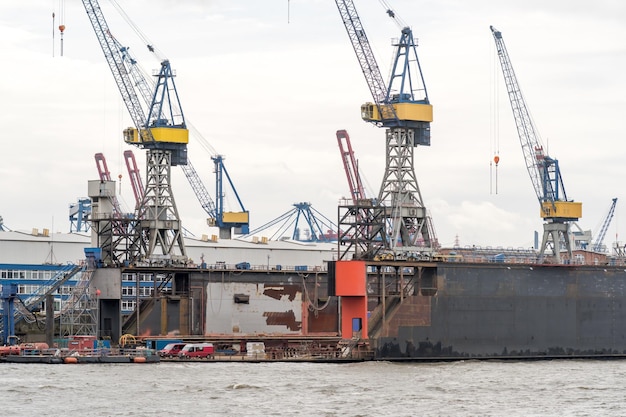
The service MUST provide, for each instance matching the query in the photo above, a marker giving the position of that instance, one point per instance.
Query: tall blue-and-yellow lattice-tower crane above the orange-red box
(401, 107)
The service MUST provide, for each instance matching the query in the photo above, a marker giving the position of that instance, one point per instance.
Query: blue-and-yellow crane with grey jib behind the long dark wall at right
(545, 174)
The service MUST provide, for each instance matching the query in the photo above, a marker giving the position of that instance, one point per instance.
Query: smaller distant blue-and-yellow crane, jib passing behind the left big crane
(224, 220)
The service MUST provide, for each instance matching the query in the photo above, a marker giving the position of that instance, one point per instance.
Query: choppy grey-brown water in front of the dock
(470, 388)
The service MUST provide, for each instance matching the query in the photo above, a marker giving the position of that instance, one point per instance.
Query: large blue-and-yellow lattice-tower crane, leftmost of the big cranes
(163, 134)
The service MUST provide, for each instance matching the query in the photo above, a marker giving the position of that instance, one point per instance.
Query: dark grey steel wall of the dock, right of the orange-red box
(500, 310)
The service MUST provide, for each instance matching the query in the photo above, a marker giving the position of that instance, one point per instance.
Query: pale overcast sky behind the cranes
(267, 85)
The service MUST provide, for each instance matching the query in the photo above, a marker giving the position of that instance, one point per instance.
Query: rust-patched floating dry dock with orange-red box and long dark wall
(399, 310)
